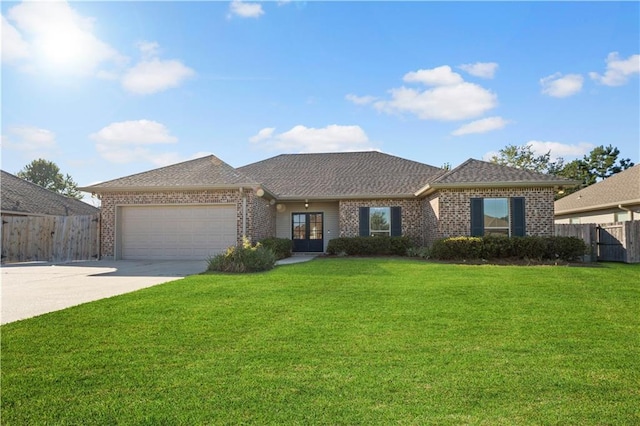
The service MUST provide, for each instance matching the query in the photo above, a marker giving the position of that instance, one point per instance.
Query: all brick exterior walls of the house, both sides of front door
(446, 213)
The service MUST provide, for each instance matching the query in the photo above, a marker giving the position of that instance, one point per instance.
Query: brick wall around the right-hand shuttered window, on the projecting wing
(454, 215)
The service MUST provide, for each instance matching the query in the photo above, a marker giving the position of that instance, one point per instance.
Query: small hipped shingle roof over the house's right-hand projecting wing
(477, 174)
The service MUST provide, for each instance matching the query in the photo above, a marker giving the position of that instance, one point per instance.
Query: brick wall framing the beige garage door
(111, 200)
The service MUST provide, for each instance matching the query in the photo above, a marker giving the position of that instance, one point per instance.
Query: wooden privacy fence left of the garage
(50, 238)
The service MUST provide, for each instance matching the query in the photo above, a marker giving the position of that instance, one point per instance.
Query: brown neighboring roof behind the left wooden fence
(21, 197)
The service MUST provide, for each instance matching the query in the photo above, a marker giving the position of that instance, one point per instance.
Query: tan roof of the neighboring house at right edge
(620, 189)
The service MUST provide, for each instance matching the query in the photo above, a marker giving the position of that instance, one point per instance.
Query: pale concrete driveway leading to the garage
(31, 289)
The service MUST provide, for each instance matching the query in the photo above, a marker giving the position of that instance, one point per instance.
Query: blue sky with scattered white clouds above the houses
(108, 89)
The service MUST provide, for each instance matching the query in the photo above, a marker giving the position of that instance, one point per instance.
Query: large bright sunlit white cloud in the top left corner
(58, 38)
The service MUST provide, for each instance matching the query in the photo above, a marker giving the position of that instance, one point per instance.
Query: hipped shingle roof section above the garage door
(205, 172)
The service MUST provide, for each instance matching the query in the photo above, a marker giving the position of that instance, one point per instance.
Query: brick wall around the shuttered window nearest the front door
(412, 224)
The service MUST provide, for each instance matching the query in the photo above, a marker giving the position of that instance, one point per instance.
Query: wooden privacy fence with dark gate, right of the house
(616, 242)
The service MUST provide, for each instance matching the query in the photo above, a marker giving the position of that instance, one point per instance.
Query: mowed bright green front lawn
(339, 341)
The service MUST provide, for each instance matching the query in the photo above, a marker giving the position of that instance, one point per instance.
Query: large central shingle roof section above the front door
(341, 175)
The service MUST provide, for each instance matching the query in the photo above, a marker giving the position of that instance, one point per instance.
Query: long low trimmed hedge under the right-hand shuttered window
(498, 247)
